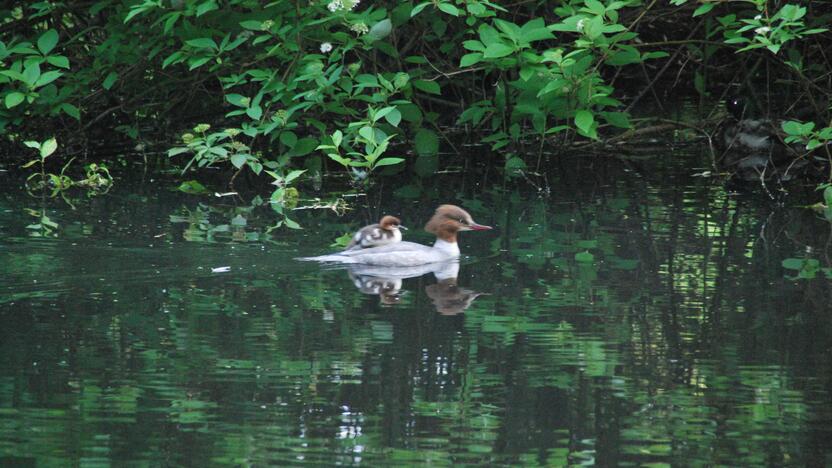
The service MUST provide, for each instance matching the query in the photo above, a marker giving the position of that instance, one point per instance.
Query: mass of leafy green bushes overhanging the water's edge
(285, 78)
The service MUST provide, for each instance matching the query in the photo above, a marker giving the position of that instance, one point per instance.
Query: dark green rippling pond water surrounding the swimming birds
(632, 314)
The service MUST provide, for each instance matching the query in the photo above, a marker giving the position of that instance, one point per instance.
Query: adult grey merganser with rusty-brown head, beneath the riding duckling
(446, 222)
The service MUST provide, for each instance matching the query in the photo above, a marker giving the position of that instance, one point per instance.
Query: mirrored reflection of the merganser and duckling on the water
(386, 282)
